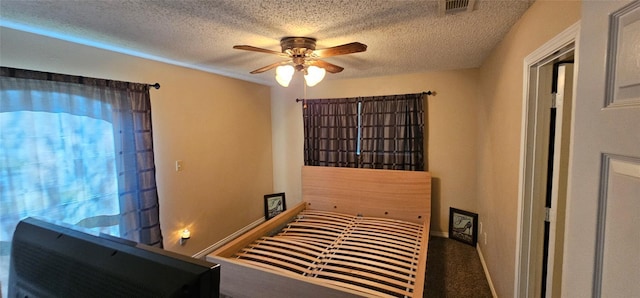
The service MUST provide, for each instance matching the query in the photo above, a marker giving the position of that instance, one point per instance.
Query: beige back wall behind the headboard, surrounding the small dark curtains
(451, 132)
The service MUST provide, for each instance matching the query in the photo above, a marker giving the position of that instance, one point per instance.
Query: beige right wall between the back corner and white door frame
(499, 132)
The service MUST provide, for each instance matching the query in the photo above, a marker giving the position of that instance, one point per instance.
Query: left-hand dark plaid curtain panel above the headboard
(331, 132)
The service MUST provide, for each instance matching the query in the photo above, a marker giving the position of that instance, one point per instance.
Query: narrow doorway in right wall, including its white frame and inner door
(545, 171)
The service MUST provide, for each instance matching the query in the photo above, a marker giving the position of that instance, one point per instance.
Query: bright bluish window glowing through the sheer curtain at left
(56, 165)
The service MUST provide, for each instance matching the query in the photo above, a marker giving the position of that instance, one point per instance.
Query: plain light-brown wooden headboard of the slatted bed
(403, 195)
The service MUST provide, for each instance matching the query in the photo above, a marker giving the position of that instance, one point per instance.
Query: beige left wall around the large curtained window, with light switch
(219, 127)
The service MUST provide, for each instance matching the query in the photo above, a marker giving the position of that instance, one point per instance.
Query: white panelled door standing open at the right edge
(602, 240)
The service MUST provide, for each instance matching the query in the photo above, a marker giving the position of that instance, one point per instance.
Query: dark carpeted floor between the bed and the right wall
(454, 270)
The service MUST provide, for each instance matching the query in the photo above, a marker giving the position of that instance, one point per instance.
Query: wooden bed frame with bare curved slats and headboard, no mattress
(337, 203)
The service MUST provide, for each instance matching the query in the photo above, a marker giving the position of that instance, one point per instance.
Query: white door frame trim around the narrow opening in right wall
(523, 281)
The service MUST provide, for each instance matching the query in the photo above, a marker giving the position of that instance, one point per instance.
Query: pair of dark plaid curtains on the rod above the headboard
(388, 129)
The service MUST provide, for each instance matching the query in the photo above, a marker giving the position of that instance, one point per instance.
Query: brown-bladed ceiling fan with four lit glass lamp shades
(301, 55)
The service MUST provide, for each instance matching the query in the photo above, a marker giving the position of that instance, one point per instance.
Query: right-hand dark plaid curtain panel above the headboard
(393, 132)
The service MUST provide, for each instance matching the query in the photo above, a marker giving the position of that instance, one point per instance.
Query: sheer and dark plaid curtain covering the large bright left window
(78, 150)
